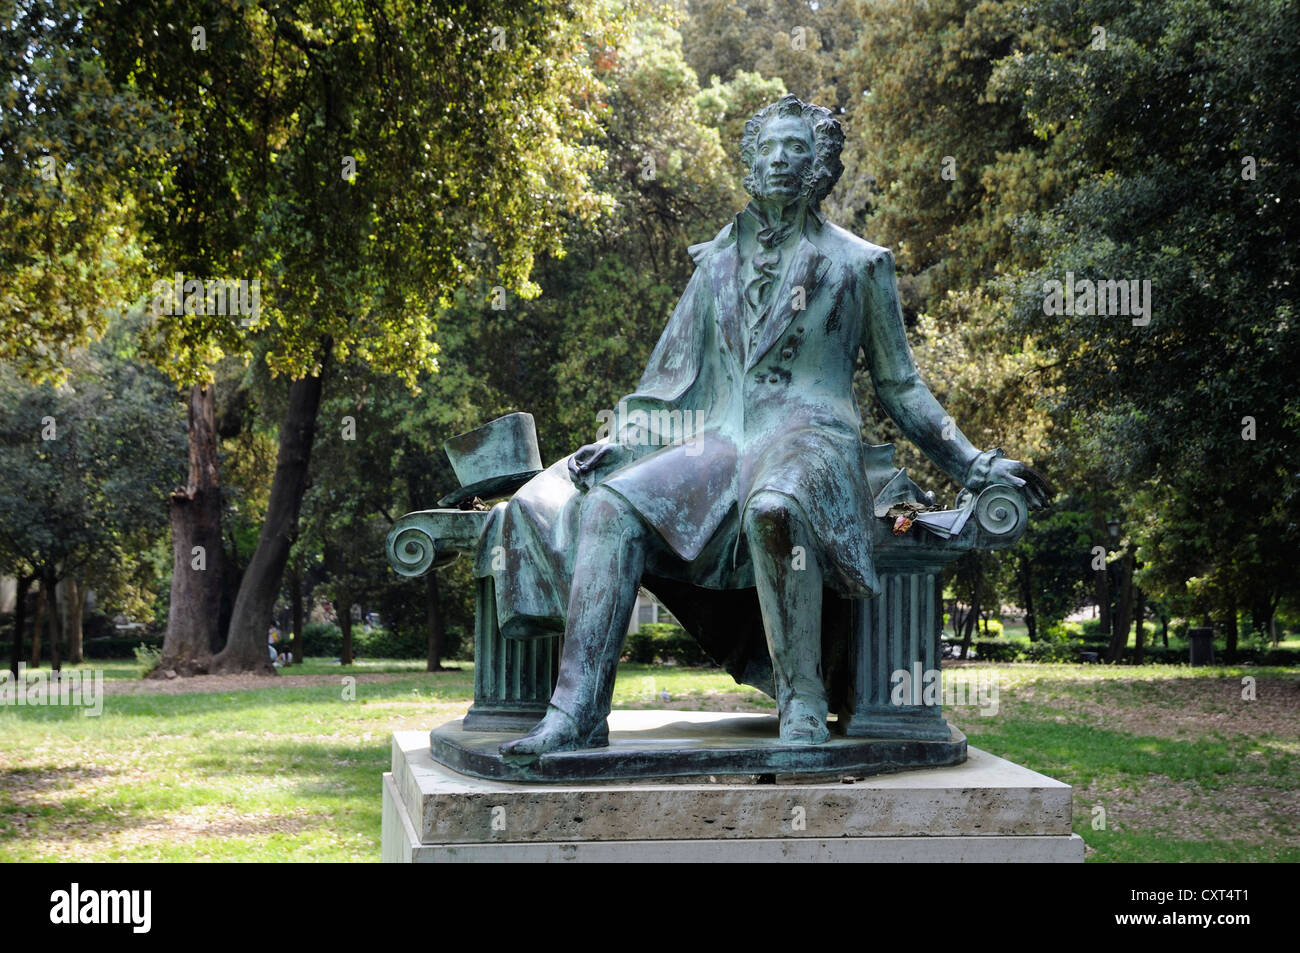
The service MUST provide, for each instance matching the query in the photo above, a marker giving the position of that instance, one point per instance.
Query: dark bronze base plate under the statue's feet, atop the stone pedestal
(694, 744)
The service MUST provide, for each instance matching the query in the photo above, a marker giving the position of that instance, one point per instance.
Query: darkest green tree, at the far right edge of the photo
(1188, 401)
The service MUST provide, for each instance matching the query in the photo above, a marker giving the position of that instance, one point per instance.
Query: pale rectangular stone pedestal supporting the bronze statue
(986, 809)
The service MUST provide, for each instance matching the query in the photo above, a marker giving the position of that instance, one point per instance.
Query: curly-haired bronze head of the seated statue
(792, 149)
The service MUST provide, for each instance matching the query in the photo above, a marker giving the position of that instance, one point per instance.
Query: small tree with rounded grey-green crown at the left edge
(84, 470)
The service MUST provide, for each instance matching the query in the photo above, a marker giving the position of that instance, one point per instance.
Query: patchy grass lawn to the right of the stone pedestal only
(1168, 763)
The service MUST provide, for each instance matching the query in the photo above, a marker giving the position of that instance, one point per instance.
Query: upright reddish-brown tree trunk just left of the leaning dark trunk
(197, 556)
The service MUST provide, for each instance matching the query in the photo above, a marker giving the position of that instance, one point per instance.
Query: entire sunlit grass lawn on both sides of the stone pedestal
(244, 769)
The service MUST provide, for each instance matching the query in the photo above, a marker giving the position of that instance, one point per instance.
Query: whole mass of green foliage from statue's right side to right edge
(1110, 142)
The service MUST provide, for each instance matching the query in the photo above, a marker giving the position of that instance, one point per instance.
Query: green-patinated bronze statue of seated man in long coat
(738, 465)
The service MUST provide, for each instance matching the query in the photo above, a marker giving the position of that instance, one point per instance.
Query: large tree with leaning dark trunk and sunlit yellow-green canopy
(379, 158)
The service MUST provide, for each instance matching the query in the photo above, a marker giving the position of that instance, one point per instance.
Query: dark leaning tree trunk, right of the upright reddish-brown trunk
(246, 646)
